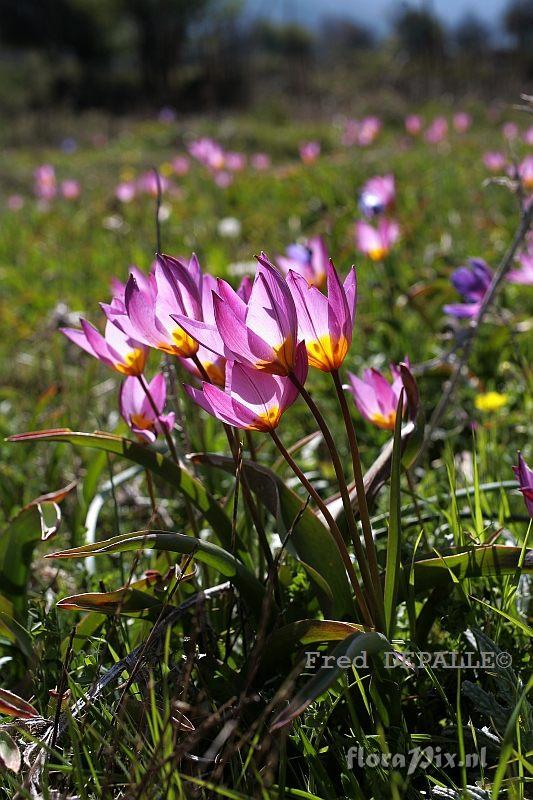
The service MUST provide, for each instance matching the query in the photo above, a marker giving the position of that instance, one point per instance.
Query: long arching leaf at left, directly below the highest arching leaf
(206, 552)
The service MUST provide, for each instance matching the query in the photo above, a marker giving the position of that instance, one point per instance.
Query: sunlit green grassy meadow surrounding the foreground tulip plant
(57, 259)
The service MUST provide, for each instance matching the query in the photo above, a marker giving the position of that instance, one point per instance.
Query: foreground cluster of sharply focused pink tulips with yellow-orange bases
(250, 348)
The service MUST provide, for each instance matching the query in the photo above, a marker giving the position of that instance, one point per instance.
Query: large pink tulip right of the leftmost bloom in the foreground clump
(174, 288)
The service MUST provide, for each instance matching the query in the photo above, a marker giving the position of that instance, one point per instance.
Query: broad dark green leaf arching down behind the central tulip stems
(310, 541)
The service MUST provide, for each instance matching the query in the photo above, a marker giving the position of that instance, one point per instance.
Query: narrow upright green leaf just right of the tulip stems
(393, 565)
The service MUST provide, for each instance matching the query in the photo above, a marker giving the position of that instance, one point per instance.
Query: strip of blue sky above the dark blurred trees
(374, 14)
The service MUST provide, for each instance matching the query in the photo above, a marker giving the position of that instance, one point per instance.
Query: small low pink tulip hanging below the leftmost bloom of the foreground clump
(136, 409)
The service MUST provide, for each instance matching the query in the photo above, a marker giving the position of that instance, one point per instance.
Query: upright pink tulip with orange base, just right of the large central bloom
(325, 323)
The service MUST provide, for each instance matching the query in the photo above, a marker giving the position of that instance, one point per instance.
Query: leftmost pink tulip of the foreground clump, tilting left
(115, 348)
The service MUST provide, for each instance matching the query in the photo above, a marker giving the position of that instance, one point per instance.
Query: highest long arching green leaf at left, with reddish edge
(157, 463)
